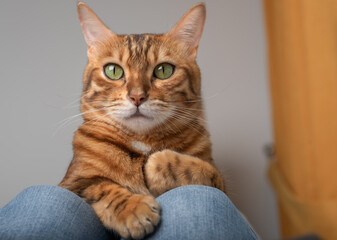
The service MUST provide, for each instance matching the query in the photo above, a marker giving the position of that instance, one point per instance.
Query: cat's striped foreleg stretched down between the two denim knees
(129, 214)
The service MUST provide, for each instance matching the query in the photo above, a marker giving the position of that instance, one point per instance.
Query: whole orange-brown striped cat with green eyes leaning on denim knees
(144, 131)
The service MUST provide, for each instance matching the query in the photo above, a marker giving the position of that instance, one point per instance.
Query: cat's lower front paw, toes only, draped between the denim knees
(138, 217)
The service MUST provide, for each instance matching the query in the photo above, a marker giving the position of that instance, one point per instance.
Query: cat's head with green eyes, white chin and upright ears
(142, 81)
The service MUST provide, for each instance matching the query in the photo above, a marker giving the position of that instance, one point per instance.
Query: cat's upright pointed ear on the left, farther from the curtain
(93, 29)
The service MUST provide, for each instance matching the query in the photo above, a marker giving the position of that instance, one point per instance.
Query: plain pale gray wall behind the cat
(42, 57)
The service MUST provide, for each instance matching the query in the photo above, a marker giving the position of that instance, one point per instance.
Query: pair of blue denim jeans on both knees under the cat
(189, 212)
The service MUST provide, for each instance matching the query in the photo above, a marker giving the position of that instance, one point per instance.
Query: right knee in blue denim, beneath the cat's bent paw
(200, 212)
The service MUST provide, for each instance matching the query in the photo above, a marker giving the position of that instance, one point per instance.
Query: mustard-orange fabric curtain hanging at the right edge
(302, 44)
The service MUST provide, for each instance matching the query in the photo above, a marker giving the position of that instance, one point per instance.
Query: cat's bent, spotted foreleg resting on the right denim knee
(167, 169)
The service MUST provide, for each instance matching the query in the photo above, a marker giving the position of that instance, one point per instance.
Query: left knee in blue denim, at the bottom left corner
(50, 212)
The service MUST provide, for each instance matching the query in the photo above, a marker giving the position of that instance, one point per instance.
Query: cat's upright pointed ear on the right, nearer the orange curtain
(189, 29)
